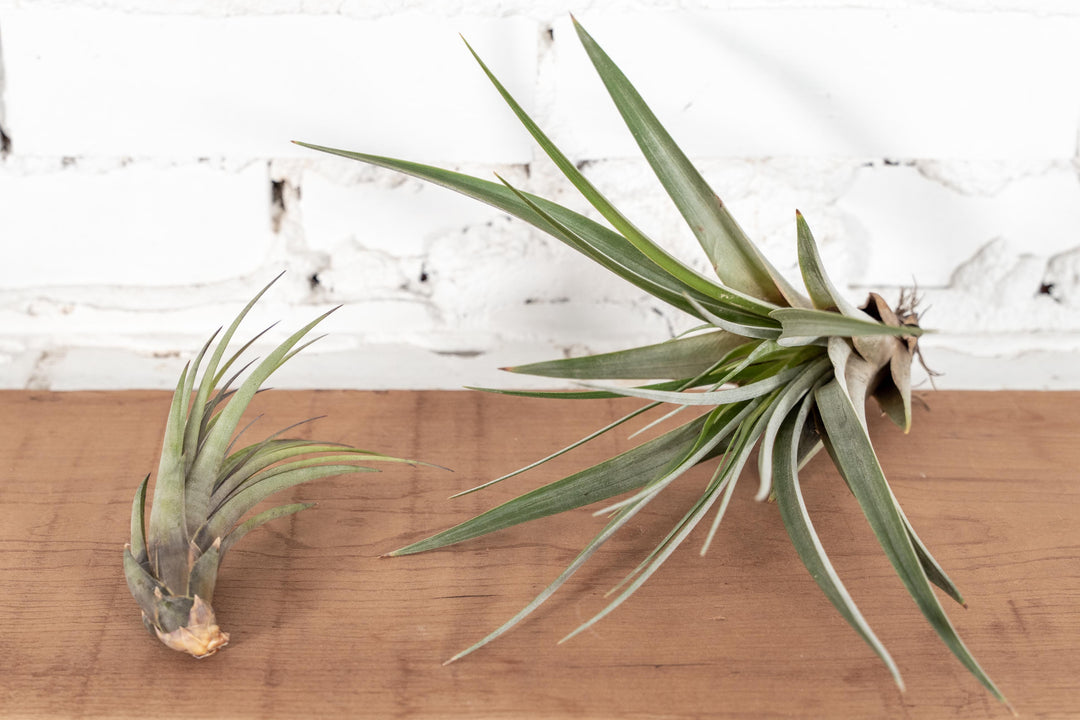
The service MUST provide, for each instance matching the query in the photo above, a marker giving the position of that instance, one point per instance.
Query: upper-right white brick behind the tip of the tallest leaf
(845, 81)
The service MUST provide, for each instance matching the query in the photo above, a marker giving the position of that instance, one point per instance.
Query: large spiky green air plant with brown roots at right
(772, 369)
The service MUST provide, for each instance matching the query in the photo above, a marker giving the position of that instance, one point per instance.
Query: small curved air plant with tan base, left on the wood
(205, 487)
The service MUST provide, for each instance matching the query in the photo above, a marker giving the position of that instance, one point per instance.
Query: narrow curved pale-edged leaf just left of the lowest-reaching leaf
(801, 529)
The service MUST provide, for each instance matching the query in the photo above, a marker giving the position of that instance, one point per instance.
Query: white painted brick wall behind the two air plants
(148, 186)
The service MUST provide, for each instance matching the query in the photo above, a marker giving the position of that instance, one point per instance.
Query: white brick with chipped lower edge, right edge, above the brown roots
(919, 229)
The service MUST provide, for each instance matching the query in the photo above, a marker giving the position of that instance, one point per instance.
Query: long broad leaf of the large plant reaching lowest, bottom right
(850, 449)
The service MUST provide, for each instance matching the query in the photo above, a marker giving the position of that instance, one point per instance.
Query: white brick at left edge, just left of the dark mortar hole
(138, 224)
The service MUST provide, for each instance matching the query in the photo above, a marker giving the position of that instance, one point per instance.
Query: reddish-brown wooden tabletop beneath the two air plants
(322, 627)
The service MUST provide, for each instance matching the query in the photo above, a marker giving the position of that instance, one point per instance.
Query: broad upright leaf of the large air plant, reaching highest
(737, 262)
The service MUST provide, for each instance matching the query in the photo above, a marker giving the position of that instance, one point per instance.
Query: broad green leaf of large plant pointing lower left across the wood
(625, 472)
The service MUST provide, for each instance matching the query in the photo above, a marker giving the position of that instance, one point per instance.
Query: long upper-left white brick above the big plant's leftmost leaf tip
(116, 84)
